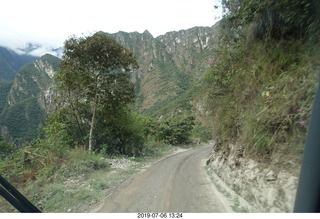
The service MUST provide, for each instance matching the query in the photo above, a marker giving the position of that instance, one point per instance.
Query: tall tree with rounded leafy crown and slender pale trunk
(94, 72)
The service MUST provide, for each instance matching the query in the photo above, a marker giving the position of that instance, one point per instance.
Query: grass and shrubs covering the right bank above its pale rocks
(262, 83)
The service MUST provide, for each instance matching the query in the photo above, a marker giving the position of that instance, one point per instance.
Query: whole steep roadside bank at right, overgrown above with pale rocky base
(260, 90)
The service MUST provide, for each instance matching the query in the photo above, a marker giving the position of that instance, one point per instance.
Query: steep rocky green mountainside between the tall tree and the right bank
(169, 64)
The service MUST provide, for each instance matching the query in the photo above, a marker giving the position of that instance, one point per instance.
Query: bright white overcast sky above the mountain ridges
(50, 23)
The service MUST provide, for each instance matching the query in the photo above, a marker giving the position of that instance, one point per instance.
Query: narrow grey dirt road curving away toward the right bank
(177, 183)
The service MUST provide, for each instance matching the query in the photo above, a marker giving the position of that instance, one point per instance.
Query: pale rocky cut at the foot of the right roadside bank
(267, 187)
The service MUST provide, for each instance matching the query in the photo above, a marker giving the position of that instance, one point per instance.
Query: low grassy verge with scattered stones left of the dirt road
(50, 176)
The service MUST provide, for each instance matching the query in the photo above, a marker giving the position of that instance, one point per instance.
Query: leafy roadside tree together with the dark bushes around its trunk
(93, 90)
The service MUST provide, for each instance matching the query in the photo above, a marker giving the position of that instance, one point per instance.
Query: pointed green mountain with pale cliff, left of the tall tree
(28, 98)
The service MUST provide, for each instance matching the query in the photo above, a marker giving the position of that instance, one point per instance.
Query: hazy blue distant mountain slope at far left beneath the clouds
(11, 62)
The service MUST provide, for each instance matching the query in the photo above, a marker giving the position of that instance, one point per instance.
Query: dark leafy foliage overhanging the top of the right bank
(276, 20)
